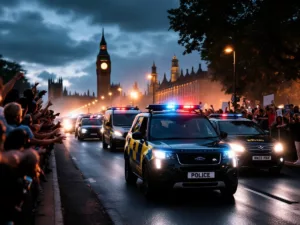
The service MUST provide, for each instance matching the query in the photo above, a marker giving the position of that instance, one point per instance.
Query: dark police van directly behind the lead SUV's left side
(116, 122)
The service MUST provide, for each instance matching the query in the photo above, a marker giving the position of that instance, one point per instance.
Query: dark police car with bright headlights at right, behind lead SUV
(254, 147)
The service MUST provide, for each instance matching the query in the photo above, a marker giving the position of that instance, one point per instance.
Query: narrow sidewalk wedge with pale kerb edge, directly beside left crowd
(49, 211)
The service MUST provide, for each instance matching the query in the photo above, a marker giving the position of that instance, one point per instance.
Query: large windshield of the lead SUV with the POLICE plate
(181, 127)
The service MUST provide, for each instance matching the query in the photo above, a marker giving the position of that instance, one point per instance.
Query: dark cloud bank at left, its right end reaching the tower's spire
(30, 39)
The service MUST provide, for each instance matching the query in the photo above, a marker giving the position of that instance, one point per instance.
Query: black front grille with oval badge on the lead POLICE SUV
(199, 158)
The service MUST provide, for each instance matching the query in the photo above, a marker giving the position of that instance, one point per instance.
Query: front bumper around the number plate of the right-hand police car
(246, 160)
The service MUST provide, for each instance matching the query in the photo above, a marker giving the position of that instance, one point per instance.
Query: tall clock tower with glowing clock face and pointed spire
(103, 69)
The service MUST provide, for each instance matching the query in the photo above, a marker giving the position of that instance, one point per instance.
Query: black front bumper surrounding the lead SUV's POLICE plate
(177, 176)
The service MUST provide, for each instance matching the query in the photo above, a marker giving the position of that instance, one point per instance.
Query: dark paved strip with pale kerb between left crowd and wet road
(67, 199)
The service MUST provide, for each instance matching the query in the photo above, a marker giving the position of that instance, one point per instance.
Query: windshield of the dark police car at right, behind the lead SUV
(240, 128)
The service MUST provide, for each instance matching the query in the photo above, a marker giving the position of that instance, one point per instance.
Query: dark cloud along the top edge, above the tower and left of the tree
(130, 15)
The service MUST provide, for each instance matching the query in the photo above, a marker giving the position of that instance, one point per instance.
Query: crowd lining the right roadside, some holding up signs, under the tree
(283, 123)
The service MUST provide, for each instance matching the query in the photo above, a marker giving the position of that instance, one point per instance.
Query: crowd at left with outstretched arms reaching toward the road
(27, 136)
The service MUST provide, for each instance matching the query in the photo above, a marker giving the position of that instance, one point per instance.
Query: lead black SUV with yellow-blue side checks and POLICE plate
(174, 146)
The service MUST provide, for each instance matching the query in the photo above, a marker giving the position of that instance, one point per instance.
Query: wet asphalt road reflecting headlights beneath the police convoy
(260, 199)
